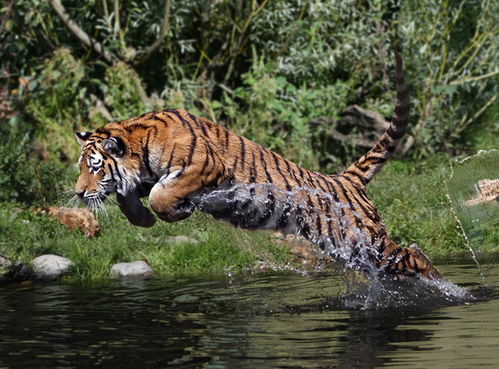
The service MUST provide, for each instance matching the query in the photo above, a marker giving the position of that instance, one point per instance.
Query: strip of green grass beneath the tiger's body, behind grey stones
(221, 248)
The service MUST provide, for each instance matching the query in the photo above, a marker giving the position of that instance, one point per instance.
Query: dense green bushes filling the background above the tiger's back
(283, 64)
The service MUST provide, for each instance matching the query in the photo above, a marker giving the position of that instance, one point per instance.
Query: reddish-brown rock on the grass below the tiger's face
(73, 218)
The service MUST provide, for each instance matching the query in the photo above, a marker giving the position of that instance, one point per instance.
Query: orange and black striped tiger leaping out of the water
(183, 162)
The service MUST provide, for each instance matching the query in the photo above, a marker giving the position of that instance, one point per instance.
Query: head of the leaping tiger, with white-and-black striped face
(106, 167)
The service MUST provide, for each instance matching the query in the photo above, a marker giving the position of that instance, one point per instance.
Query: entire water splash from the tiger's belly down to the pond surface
(247, 206)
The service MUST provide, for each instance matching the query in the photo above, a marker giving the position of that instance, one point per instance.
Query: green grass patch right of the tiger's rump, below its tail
(413, 203)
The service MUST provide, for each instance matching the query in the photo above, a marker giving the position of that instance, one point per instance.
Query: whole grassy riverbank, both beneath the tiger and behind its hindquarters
(411, 199)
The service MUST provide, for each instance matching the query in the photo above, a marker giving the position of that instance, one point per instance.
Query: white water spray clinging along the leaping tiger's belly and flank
(265, 206)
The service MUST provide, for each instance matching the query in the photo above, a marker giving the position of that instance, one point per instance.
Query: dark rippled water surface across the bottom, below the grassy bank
(277, 320)
